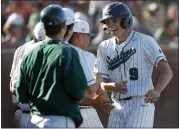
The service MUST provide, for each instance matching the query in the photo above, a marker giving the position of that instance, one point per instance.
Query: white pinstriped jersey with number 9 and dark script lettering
(132, 60)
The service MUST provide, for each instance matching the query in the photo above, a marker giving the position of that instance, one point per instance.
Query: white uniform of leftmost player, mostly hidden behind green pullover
(14, 74)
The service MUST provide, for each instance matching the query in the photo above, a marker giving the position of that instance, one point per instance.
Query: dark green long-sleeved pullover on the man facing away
(45, 85)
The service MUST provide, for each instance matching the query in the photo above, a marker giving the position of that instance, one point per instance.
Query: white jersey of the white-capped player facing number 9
(87, 61)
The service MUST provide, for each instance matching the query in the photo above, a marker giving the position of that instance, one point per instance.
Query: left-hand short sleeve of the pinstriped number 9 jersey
(100, 63)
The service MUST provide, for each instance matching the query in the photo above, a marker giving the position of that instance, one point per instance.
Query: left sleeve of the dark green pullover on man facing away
(22, 87)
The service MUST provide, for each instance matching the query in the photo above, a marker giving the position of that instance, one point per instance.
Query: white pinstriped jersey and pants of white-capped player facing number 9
(90, 116)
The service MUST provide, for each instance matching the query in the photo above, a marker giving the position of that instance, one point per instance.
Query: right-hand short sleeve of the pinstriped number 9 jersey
(152, 51)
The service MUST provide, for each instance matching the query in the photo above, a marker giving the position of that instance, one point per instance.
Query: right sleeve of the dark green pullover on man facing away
(74, 78)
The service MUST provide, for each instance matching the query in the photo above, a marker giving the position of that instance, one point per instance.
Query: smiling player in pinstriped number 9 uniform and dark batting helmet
(129, 57)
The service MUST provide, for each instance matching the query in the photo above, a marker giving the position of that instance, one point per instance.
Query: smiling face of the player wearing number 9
(114, 26)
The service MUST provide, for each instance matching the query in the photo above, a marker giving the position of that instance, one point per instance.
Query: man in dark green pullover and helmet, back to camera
(51, 78)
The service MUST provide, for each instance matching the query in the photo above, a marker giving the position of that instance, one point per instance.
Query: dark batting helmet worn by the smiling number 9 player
(118, 10)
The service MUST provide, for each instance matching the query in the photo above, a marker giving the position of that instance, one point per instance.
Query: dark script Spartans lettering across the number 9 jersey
(120, 59)
